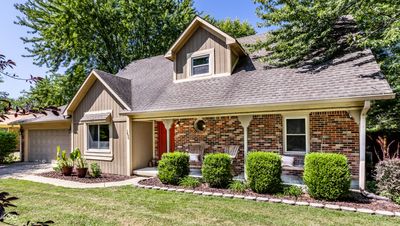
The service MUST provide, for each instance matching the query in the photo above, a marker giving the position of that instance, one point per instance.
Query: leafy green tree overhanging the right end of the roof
(308, 29)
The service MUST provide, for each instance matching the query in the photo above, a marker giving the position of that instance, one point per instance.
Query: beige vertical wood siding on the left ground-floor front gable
(100, 99)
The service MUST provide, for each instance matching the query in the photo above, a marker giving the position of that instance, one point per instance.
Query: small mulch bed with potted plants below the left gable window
(89, 180)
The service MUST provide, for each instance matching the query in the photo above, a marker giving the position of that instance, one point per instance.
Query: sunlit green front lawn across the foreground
(132, 206)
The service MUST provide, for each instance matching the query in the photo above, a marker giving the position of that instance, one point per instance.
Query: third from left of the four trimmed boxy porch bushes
(264, 172)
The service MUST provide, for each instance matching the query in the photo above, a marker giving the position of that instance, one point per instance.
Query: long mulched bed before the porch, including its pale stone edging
(355, 201)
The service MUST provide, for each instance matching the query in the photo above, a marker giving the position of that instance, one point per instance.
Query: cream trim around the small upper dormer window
(197, 54)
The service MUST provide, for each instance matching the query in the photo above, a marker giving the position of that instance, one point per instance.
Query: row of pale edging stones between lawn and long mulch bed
(275, 200)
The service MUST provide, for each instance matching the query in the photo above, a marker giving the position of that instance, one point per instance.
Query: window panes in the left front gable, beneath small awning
(99, 137)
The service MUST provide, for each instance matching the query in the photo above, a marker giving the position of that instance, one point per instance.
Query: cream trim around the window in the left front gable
(98, 154)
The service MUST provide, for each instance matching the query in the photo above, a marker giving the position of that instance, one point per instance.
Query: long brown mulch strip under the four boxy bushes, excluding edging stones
(354, 199)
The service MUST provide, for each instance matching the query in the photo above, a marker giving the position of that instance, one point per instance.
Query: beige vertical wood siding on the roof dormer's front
(202, 40)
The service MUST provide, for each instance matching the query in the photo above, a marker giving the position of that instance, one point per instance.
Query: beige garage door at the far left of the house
(43, 144)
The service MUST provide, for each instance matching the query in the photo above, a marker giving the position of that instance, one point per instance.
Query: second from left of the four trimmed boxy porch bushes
(216, 170)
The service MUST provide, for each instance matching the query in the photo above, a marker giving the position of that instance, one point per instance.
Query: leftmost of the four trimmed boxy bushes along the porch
(173, 167)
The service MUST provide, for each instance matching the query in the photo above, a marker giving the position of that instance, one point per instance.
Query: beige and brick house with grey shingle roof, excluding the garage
(208, 90)
